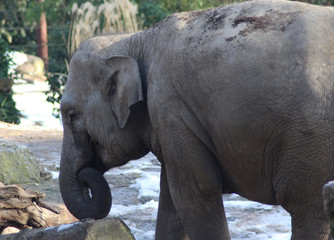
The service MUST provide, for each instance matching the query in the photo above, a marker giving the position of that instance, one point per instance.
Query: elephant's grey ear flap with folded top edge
(124, 87)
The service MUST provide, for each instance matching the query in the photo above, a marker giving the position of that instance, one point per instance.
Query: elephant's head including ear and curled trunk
(102, 116)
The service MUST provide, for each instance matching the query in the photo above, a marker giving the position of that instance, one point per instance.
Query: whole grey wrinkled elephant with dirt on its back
(237, 99)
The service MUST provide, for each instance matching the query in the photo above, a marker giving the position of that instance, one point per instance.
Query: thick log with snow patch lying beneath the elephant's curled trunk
(108, 228)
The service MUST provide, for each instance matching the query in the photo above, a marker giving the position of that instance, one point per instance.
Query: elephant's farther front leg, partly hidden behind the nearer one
(169, 226)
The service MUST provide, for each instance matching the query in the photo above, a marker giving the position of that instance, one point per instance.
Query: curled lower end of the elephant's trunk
(86, 195)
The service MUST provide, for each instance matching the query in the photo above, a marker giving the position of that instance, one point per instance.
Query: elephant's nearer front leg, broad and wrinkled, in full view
(195, 186)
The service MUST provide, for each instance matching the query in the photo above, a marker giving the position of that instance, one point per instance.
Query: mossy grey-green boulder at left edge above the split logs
(17, 164)
